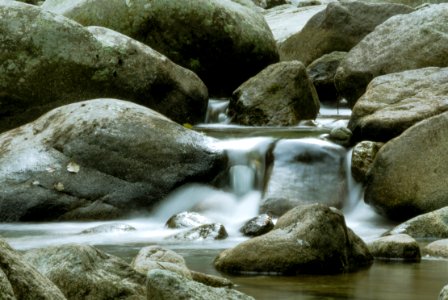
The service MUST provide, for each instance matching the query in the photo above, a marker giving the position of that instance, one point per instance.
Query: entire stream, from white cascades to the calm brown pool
(237, 201)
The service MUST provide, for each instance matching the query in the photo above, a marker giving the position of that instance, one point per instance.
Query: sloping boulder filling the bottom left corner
(19, 280)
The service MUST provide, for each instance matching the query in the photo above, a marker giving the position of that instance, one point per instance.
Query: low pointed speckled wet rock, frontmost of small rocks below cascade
(213, 231)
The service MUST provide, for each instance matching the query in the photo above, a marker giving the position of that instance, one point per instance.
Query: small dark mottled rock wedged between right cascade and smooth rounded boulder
(363, 155)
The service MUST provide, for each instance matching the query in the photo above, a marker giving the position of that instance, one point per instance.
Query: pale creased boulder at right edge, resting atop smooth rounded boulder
(394, 102)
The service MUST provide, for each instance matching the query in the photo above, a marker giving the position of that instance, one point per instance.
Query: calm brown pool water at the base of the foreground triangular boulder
(383, 281)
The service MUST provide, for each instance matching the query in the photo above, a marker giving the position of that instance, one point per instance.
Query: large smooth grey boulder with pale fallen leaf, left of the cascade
(99, 159)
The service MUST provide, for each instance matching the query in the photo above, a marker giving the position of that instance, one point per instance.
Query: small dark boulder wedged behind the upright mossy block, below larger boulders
(322, 72)
